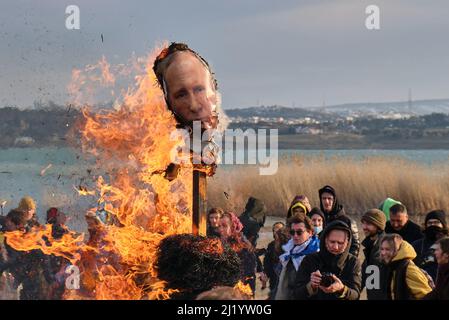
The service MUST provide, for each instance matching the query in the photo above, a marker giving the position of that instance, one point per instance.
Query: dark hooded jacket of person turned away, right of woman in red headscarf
(253, 219)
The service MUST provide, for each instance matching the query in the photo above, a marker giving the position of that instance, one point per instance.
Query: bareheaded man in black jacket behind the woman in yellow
(401, 224)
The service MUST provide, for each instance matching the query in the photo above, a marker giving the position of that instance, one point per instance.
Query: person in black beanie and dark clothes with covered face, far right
(435, 228)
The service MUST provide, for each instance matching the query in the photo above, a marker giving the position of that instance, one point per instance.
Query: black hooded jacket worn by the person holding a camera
(345, 266)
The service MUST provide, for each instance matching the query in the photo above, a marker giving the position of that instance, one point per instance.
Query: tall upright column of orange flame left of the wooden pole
(134, 142)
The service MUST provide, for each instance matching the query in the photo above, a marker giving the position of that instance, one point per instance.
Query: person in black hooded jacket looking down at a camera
(332, 273)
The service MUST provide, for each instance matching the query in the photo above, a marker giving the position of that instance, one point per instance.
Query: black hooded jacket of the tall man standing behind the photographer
(338, 213)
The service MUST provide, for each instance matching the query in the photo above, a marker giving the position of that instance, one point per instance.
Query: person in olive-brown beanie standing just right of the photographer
(373, 225)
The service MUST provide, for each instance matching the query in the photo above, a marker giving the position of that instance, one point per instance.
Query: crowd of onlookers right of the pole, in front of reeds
(317, 254)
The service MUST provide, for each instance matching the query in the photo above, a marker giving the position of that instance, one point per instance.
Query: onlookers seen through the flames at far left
(33, 275)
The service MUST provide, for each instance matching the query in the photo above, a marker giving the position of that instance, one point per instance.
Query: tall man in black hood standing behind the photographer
(333, 210)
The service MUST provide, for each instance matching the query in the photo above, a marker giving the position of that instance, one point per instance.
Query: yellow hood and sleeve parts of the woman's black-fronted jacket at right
(416, 280)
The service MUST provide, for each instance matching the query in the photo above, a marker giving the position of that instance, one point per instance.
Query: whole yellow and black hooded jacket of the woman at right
(405, 280)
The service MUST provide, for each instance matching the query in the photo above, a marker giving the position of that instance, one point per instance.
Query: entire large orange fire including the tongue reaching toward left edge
(132, 143)
